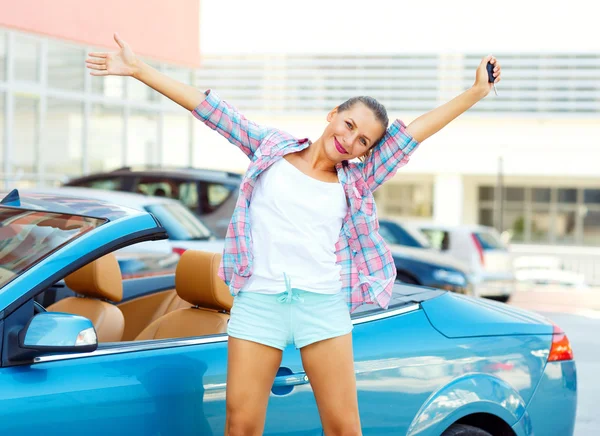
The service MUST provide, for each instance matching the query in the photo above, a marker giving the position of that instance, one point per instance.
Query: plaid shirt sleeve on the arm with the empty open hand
(230, 123)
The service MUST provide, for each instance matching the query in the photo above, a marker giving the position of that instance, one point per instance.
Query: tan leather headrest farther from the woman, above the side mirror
(98, 279)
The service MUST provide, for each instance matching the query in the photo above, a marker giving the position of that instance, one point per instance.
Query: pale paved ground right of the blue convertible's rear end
(578, 314)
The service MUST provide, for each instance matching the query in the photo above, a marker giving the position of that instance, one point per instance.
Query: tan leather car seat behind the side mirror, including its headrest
(97, 281)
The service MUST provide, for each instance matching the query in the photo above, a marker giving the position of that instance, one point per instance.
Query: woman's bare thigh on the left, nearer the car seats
(251, 370)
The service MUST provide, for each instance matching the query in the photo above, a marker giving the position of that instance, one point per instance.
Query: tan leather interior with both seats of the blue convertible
(198, 305)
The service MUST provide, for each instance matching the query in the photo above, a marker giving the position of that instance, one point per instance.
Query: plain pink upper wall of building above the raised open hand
(167, 30)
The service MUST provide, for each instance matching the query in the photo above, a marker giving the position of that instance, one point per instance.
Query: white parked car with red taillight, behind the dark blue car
(483, 250)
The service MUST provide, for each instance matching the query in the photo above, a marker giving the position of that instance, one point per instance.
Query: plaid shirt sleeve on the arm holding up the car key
(392, 152)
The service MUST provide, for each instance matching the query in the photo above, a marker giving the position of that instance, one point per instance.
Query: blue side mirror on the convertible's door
(55, 333)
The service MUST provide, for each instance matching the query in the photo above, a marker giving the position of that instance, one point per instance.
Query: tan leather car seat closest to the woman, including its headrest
(196, 282)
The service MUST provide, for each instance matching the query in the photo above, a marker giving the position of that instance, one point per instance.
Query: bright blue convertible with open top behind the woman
(84, 352)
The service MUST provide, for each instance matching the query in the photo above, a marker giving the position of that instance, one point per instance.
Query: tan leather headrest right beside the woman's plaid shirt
(198, 283)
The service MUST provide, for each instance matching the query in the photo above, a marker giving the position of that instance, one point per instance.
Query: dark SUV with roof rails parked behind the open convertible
(210, 194)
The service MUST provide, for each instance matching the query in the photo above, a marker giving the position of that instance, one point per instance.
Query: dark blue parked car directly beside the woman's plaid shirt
(418, 263)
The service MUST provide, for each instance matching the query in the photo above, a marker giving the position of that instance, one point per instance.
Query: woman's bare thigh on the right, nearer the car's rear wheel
(329, 365)
